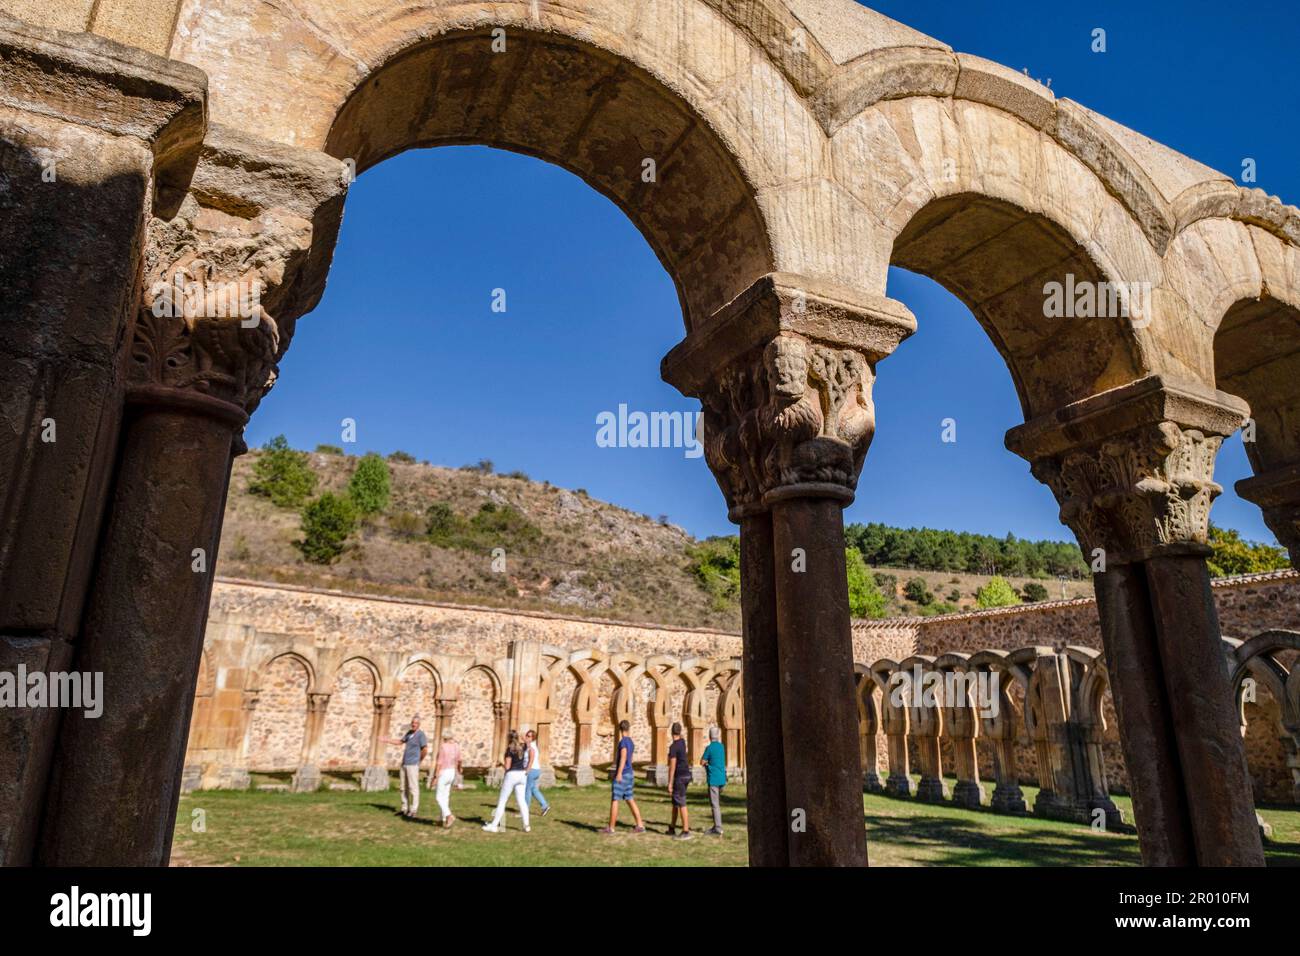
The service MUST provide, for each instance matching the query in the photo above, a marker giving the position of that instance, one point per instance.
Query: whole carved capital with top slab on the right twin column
(1134, 469)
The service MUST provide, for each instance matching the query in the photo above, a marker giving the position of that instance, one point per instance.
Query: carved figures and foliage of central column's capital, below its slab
(795, 416)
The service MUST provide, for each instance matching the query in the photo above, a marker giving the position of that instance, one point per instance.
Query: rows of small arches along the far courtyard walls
(1041, 716)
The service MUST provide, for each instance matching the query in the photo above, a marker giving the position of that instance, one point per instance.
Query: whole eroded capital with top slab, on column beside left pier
(228, 276)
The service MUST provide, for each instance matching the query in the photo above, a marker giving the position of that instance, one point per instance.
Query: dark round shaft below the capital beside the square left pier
(116, 778)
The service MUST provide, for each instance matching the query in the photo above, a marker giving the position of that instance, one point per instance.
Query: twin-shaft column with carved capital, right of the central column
(1133, 470)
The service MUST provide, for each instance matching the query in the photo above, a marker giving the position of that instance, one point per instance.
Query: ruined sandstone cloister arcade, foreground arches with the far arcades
(799, 150)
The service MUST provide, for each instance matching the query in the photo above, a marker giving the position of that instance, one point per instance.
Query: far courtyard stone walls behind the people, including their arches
(274, 654)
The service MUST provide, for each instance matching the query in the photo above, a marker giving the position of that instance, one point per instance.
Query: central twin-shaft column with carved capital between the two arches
(785, 375)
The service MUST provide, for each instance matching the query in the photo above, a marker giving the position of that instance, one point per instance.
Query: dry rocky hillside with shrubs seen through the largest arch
(564, 552)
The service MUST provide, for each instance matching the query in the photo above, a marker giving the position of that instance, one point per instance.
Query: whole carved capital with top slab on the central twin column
(785, 375)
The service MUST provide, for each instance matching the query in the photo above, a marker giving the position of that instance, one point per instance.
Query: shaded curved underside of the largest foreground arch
(600, 115)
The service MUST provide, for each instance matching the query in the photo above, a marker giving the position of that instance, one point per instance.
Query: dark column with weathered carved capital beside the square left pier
(222, 285)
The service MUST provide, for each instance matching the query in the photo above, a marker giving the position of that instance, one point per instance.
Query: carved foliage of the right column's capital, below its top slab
(1139, 494)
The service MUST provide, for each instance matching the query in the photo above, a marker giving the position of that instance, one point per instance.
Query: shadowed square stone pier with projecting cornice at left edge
(94, 139)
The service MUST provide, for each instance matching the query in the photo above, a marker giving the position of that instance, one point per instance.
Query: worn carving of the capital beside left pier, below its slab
(211, 287)
